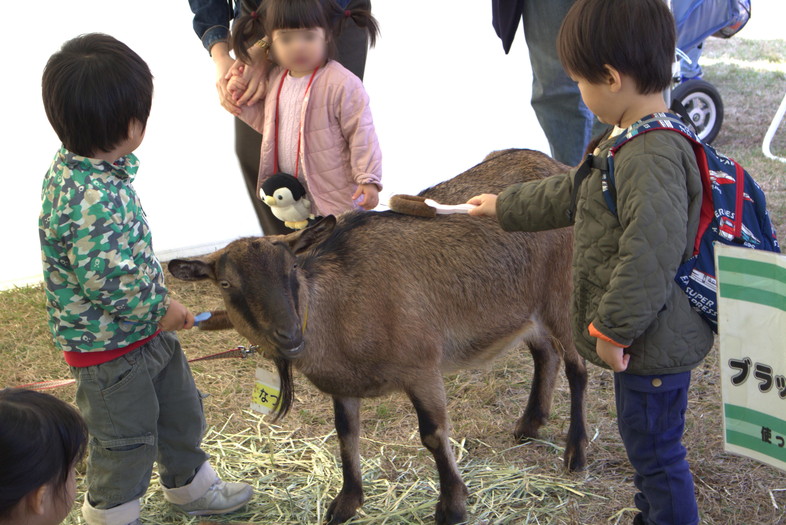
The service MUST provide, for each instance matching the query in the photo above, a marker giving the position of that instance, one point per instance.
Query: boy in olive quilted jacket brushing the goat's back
(628, 312)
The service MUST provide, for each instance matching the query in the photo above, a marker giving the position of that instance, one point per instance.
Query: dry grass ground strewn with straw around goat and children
(294, 467)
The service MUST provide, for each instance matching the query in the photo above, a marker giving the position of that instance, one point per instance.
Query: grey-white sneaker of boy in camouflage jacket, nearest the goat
(207, 494)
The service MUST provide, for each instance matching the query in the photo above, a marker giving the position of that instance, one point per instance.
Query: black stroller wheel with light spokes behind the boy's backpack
(704, 106)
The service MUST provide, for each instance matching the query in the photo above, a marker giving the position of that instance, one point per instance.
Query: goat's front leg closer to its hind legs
(428, 397)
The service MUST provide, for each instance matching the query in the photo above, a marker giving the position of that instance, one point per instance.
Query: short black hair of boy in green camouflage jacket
(93, 89)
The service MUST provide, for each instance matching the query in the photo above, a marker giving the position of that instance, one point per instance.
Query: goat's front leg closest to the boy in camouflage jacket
(347, 416)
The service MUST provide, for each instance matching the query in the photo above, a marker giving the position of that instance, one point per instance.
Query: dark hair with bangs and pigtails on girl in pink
(299, 14)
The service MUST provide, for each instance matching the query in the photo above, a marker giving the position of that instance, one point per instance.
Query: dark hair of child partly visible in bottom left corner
(41, 438)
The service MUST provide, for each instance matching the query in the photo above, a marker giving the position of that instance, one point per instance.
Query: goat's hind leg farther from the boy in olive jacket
(546, 363)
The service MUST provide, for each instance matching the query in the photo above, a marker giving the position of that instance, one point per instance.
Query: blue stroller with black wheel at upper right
(696, 20)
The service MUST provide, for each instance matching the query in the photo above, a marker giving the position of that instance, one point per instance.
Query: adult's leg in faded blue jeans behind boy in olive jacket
(565, 120)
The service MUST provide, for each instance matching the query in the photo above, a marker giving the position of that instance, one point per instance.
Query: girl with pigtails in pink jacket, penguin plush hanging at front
(319, 148)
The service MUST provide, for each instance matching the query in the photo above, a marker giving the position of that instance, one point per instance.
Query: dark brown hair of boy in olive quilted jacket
(635, 37)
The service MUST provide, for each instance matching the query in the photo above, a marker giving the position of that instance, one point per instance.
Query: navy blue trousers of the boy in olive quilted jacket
(651, 419)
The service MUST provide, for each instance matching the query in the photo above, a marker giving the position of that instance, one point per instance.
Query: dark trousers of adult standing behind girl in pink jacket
(352, 50)
